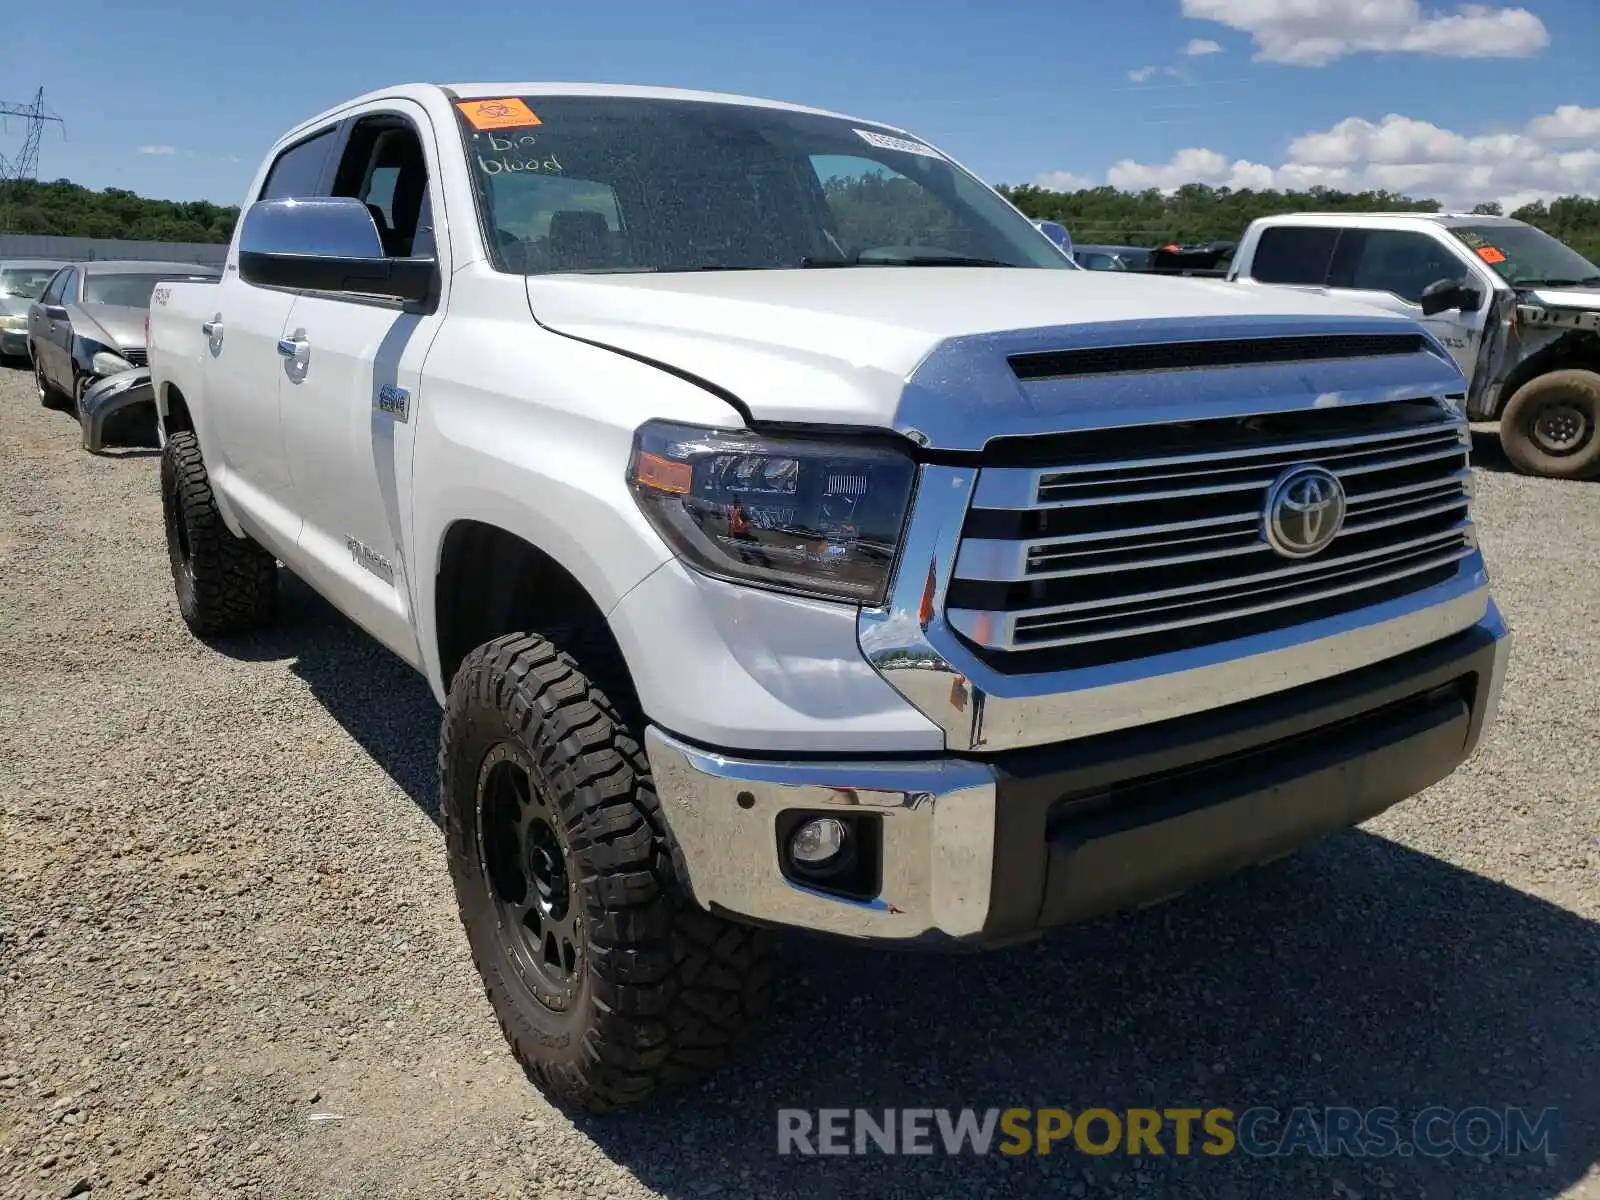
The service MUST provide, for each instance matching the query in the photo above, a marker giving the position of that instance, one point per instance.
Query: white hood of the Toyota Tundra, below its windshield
(839, 346)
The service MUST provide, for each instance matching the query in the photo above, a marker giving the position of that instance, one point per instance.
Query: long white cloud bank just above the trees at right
(1543, 159)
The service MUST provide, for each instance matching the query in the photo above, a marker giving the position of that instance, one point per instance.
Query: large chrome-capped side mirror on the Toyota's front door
(327, 244)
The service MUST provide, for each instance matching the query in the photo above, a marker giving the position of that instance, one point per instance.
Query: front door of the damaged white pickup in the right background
(1390, 270)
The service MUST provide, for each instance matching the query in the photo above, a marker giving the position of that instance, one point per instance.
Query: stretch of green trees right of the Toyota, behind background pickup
(1201, 214)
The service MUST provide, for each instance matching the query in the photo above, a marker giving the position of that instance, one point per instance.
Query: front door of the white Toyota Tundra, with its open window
(350, 407)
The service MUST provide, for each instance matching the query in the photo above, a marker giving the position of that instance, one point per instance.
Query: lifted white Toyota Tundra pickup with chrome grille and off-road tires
(794, 538)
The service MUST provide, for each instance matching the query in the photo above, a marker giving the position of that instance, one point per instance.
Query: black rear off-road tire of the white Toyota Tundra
(225, 585)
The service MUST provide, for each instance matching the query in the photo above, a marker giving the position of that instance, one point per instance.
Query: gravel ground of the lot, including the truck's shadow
(231, 964)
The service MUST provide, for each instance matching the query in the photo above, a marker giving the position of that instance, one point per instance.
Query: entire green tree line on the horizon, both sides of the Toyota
(1098, 215)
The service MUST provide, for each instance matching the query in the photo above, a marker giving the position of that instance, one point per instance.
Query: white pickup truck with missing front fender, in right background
(1519, 311)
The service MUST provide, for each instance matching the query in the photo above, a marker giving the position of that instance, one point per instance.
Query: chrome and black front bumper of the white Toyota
(983, 852)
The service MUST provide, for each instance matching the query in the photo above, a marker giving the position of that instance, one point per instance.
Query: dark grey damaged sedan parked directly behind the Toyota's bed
(89, 324)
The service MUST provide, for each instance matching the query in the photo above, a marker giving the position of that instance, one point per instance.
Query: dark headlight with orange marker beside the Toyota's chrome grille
(812, 518)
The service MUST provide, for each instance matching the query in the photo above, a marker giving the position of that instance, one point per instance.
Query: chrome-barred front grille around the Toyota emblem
(1150, 540)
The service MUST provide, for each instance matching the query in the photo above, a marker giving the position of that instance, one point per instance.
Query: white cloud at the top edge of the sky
(1314, 33)
